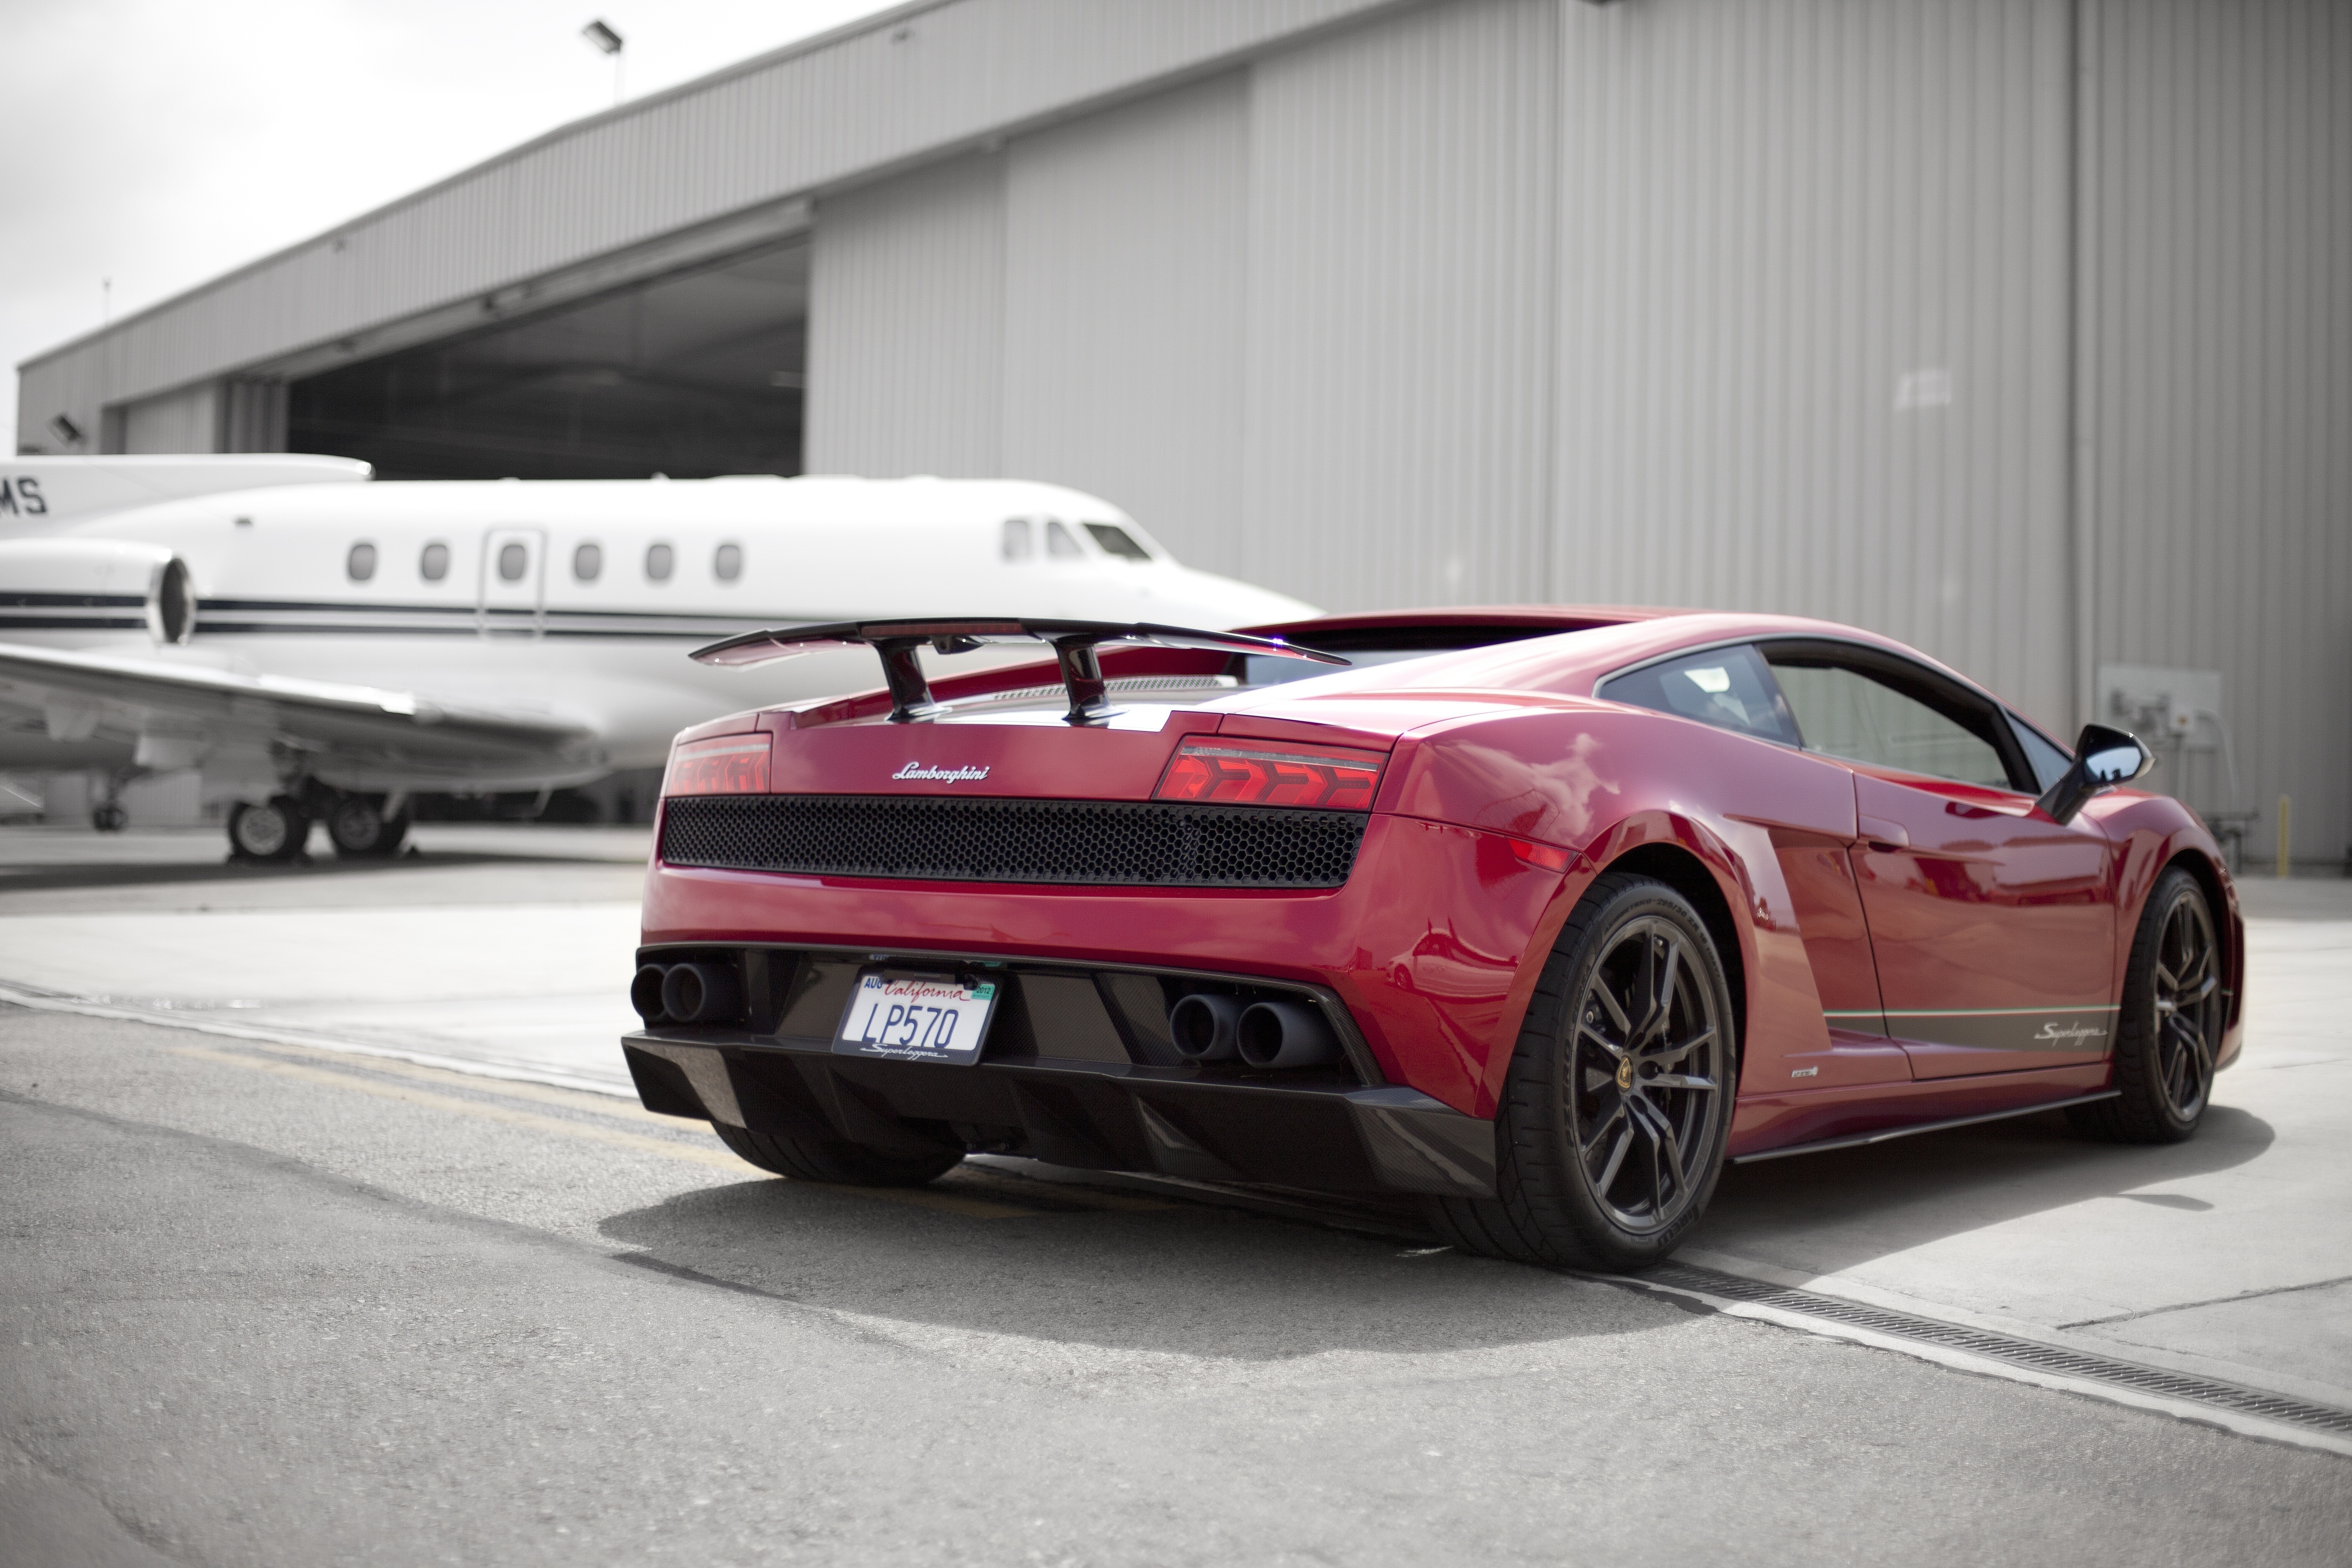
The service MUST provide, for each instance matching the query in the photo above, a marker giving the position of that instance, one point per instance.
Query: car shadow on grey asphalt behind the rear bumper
(1187, 1280)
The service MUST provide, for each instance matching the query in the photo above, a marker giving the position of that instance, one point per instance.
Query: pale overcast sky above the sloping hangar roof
(161, 142)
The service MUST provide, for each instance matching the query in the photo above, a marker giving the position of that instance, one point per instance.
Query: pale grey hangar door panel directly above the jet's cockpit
(1125, 255)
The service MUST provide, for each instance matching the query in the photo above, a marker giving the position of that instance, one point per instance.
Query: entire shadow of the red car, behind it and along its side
(1217, 1282)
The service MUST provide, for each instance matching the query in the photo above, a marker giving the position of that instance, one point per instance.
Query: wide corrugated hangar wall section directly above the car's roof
(1815, 321)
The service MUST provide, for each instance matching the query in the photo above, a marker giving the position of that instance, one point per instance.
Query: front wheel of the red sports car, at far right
(2172, 1021)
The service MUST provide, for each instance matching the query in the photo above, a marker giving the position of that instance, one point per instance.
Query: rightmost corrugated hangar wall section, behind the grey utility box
(2219, 262)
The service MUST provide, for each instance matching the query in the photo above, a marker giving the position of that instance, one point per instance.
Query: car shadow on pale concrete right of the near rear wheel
(1857, 1205)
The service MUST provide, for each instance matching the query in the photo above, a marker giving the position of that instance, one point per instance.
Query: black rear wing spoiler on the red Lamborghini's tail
(1076, 643)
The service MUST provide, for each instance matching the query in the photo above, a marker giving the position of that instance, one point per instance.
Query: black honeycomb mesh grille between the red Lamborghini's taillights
(1013, 840)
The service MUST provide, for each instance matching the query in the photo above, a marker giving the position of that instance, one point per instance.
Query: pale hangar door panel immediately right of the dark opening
(907, 326)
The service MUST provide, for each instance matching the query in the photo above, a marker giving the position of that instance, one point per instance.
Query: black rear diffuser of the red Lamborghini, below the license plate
(1093, 1115)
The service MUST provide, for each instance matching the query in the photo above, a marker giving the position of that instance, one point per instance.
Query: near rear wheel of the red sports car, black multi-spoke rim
(1610, 1170)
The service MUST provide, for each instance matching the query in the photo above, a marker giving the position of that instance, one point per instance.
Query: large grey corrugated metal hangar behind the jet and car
(2019, 330)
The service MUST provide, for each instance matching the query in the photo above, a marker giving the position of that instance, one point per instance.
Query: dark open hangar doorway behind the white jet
(688, 375)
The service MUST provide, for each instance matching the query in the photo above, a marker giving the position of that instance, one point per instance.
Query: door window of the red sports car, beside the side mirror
(1864, 713)
